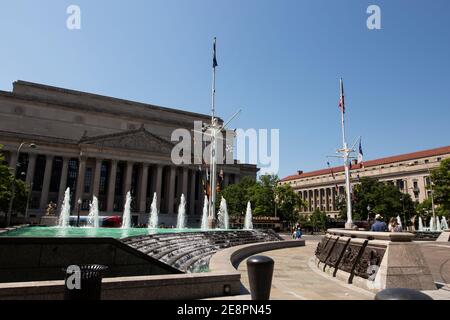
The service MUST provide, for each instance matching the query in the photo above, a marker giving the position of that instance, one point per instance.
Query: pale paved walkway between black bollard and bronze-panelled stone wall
(294, 279)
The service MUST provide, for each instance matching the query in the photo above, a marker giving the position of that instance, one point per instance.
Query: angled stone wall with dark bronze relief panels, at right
(374, 260)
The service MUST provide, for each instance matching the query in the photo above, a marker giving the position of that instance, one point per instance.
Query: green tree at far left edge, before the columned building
(6, 180)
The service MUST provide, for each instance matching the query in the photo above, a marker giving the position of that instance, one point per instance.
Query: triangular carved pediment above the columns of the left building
(133, 140)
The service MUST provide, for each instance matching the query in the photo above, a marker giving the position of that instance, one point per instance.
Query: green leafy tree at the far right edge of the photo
(440, 178)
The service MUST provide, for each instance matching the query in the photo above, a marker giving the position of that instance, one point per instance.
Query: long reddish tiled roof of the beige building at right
(372, 163)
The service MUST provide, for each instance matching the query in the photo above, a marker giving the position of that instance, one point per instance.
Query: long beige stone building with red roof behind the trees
(409, 172)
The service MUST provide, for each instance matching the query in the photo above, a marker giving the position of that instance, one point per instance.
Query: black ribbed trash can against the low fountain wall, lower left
(90, 281)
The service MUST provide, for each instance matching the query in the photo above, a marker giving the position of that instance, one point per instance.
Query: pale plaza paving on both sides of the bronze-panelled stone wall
(296, 278)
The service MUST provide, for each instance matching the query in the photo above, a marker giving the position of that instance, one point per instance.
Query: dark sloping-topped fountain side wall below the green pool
(23, 259)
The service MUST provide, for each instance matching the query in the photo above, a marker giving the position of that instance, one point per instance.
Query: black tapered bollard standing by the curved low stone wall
(260, 272)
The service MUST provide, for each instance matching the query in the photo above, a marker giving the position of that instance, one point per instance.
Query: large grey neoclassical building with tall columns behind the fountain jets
(100, 146)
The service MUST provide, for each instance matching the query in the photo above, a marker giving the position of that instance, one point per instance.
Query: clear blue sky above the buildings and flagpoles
(279, 61)
